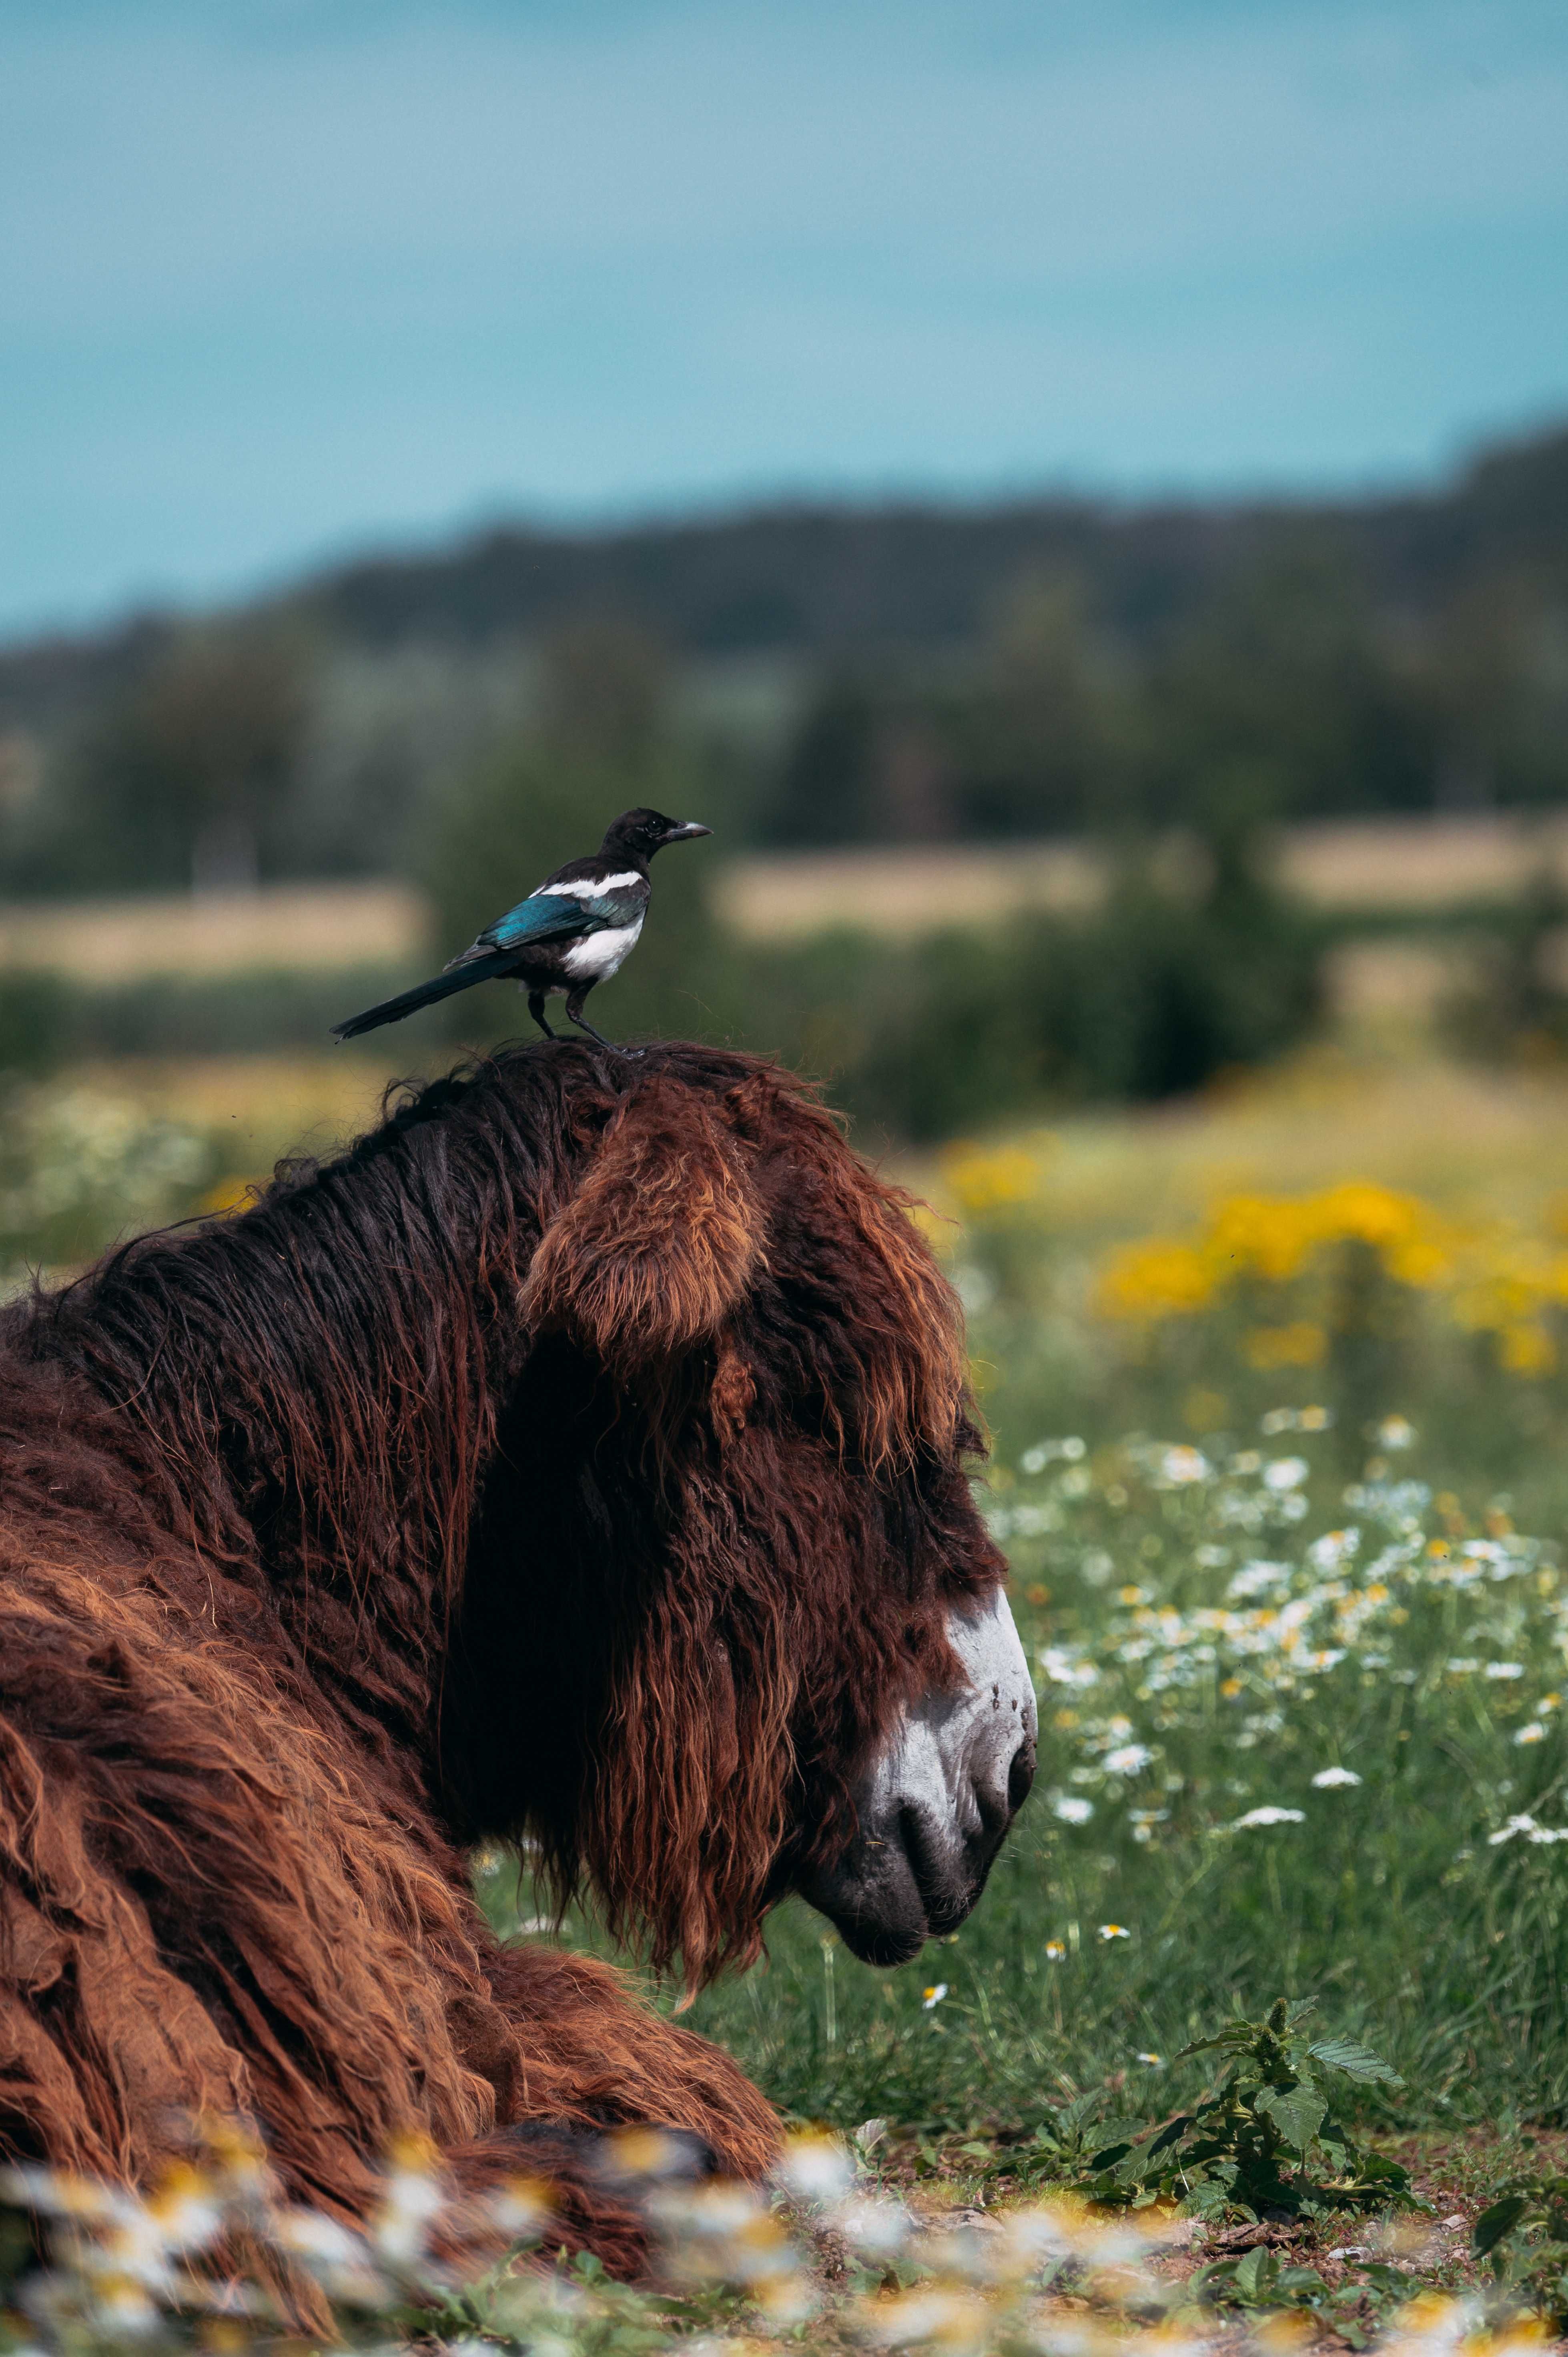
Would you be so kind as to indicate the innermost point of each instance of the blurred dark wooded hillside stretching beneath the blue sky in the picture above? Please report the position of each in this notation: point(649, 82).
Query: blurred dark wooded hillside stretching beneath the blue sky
point(902, 673)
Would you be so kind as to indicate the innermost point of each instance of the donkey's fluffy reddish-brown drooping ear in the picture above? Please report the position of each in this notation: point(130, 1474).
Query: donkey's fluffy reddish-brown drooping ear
point(659, 1241)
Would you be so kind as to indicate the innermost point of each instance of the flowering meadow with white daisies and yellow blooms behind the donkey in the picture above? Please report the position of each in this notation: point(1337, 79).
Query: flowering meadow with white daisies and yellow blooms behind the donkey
point(1279, 1401)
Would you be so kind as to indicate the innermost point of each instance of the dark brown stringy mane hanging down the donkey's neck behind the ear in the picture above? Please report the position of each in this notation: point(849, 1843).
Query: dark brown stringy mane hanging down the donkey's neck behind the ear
point(310, 1389)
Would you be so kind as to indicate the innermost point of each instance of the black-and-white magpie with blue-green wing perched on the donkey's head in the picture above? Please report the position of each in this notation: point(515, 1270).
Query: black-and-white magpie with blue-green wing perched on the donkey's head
point(572, 932)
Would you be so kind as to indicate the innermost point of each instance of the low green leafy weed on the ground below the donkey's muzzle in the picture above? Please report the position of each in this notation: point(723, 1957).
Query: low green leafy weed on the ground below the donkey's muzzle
point(1267, 2141)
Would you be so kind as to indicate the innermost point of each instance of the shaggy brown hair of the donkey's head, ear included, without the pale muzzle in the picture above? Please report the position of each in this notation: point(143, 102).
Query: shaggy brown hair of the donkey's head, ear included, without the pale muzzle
point(711, 1220)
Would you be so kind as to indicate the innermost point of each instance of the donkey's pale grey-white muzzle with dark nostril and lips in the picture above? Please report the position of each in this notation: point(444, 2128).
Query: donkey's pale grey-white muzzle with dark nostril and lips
point(940, 1800)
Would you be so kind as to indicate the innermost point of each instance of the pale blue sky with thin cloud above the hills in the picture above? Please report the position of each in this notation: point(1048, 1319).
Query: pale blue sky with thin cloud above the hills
point(284, 279)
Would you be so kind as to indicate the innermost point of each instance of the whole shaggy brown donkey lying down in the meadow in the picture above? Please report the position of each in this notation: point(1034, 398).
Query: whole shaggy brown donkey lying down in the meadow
point(584, 1458)
